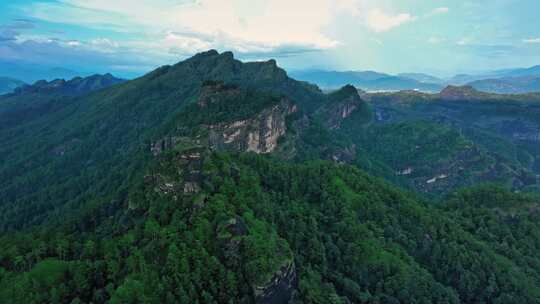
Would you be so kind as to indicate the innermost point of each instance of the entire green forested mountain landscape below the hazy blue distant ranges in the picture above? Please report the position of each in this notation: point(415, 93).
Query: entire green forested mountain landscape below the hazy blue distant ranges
point(219, 181)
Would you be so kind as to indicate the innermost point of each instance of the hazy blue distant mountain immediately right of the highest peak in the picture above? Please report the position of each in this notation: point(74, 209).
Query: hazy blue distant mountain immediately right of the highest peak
point(366, 80)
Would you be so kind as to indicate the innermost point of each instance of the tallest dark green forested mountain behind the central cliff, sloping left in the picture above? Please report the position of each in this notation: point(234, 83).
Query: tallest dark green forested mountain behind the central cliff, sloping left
point(101, 132)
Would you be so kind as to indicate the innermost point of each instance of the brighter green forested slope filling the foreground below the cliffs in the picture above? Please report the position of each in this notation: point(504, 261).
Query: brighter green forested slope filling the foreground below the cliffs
point(351, 236)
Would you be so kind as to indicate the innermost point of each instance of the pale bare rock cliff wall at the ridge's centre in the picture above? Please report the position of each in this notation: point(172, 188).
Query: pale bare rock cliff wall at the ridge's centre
point(259, 134)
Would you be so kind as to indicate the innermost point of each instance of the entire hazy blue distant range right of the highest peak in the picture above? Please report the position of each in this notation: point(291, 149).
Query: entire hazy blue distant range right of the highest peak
point(508, 81)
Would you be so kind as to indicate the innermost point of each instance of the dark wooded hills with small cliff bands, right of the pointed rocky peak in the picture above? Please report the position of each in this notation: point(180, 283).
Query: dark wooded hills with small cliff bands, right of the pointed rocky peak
point(460, 137)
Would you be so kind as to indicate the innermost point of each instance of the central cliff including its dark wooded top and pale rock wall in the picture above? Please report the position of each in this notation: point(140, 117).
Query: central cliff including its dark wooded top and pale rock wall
point(253, 122)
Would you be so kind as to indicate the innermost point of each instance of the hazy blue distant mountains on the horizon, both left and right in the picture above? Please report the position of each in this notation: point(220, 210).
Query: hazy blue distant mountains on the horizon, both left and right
point(506, 81)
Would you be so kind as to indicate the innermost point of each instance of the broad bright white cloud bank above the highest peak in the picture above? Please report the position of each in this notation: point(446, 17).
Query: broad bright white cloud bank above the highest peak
point(238, 25)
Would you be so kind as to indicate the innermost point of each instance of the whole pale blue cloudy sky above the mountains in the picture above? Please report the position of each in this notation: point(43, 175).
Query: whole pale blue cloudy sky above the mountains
point(130, 38)
